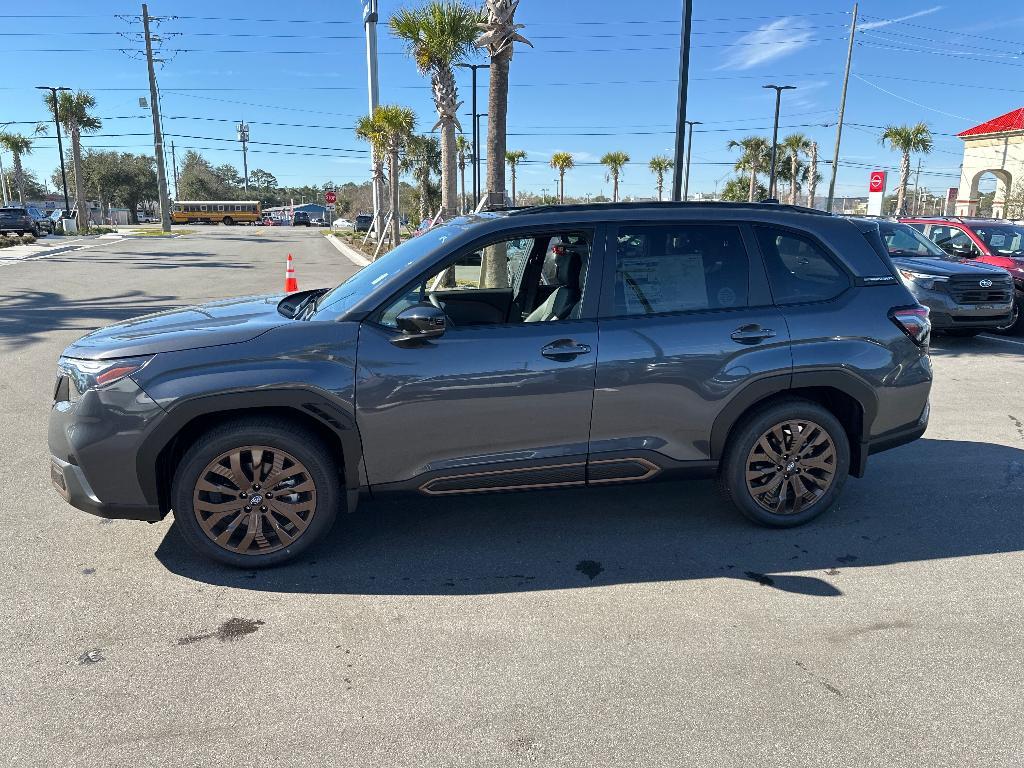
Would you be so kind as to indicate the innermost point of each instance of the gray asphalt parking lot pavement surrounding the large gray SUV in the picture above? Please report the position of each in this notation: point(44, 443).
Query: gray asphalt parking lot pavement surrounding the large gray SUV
point(620, 627)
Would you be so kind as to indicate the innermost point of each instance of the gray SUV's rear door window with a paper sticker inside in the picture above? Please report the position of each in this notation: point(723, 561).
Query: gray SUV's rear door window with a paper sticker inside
point(679, 268)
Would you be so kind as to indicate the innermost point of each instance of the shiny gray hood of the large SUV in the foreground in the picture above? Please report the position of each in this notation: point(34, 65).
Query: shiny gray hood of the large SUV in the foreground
point(227, 322)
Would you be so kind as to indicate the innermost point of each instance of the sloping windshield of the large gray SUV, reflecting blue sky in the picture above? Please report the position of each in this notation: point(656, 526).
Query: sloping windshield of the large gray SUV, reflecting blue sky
point(376, 274)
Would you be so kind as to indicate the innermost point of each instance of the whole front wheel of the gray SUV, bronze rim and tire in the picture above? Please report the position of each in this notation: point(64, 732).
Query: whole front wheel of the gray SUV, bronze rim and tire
point(255, 493)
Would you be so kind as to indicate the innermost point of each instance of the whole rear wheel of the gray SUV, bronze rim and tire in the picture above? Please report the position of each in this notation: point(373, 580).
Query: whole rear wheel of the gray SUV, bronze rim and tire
point(786, 464)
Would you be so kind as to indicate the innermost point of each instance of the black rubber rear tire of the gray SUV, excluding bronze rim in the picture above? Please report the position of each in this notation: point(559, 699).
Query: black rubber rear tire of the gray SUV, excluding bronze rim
point(742, 443)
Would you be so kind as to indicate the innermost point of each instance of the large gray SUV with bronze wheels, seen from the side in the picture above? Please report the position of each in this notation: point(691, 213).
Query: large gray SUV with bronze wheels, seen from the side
point(773, 347)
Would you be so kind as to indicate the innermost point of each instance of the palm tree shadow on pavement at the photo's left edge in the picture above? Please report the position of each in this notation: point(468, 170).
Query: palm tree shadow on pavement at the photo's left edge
point(28, 317)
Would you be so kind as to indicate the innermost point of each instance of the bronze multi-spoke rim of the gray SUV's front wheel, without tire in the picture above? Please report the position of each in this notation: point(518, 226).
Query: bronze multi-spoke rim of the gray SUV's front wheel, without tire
point(254, 500)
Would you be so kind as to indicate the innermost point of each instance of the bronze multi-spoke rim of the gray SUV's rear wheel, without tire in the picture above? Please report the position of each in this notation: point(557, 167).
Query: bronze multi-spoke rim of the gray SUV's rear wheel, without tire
point(791, 466)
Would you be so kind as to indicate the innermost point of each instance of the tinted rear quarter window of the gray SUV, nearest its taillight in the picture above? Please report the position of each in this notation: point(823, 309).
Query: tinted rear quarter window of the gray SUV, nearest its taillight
point(799, 270)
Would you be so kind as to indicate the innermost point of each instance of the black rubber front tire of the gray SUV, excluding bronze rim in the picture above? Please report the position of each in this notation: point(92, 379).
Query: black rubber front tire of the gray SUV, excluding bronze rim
point(319, 465)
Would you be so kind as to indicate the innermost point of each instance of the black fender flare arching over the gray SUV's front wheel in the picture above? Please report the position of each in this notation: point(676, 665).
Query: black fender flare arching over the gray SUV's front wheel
point(307, 401)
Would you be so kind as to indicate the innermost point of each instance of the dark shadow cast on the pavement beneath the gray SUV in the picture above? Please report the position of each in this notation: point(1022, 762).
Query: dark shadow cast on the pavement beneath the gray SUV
point(927, 501)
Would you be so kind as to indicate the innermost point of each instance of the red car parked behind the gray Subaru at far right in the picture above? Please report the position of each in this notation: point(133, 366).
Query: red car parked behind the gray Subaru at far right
point(987, 241)
